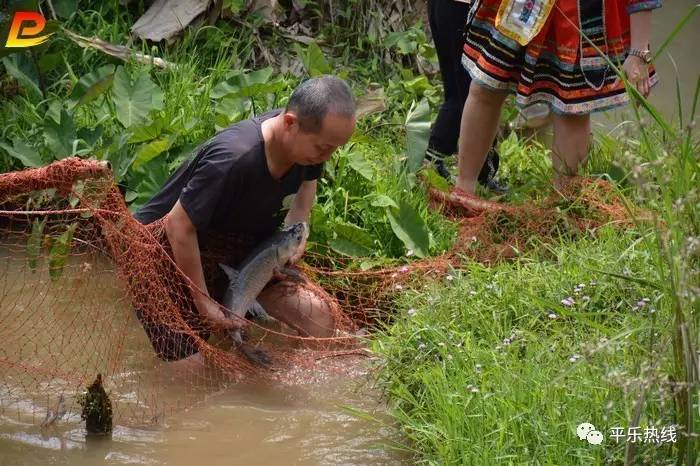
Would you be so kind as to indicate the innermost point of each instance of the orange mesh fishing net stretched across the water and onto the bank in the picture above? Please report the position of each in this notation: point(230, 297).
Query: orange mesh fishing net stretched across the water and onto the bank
point(76, 266)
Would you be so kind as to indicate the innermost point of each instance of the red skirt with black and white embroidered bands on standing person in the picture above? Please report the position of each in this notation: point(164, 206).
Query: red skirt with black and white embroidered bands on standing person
point(558, 66)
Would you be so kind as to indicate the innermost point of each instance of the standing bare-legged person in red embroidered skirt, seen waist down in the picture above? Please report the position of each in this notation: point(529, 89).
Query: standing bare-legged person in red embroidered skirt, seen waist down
point(557, 66)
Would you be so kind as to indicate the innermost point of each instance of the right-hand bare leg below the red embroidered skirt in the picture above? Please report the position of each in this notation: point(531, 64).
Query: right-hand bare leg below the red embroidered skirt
point(570, 146)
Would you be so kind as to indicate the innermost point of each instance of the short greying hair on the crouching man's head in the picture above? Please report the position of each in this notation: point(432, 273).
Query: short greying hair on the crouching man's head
point(313, 99)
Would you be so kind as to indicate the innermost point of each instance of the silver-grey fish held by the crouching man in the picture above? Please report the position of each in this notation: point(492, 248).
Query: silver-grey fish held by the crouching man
point(255, 272)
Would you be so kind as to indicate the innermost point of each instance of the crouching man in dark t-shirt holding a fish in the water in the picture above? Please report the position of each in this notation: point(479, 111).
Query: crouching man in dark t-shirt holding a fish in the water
point(232, 194)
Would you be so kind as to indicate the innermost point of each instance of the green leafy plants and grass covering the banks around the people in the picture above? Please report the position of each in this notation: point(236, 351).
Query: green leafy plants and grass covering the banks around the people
point(494, 363)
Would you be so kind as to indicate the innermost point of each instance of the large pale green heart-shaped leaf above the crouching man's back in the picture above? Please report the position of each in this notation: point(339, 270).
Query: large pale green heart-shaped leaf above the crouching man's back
point(135, 100)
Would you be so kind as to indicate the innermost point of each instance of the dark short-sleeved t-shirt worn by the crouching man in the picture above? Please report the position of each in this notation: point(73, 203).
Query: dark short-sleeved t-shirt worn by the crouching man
point(226, 186)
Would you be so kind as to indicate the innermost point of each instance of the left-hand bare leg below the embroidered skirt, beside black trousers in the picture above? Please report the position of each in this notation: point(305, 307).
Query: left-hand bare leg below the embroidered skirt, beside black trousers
point(479, 126)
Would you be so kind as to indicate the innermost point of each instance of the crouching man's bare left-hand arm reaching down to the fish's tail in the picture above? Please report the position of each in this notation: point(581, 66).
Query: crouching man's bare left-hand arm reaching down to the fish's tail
point(182, 236)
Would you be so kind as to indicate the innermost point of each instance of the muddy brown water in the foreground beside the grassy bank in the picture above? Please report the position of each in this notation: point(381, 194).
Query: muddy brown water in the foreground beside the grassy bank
point(72, 326)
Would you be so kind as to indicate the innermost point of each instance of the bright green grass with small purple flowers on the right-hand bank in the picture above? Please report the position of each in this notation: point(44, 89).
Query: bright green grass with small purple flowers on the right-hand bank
point(491, 368)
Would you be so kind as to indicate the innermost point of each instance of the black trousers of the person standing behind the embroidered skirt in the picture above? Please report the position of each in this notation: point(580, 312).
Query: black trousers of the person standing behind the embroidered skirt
point(447, 21)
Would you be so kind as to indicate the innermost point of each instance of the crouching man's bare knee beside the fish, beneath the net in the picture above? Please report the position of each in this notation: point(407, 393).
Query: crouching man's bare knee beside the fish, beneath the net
point(299, 308)
